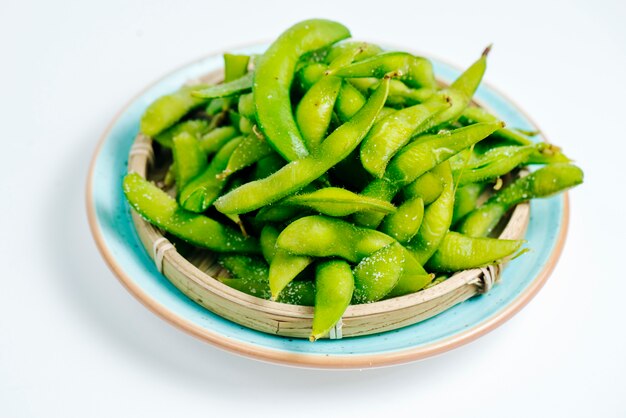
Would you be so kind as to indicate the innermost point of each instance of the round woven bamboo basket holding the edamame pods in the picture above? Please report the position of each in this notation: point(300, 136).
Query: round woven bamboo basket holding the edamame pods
point(195, 277)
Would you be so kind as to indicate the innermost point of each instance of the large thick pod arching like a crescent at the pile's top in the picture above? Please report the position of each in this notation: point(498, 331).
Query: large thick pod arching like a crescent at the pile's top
point(273, 77)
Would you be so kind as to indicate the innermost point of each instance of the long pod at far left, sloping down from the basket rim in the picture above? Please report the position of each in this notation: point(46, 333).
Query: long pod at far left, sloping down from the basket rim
point(162, 211)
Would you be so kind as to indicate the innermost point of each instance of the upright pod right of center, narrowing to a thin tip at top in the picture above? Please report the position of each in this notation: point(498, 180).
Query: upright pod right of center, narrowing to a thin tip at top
point(436, 221)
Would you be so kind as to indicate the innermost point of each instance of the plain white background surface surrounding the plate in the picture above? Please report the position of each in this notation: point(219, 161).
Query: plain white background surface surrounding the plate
point(74, 343)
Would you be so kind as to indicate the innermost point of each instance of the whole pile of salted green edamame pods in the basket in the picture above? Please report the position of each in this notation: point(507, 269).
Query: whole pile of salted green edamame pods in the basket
point(328, 172)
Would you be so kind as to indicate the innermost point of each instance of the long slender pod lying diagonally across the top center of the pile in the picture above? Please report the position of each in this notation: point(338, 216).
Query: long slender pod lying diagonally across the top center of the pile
point(297, 174)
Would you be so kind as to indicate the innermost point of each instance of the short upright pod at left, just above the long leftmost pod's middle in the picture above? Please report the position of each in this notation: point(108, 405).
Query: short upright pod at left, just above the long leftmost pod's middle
point(189, 160)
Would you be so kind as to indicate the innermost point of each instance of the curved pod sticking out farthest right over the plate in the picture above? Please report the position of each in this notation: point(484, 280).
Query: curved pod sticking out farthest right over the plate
point(546, 181)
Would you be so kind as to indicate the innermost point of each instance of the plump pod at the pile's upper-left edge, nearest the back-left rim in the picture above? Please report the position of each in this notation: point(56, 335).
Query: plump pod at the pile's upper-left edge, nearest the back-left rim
point(169, 109)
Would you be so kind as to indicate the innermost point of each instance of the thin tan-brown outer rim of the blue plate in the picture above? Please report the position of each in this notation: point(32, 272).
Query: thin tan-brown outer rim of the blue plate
point(322, 361)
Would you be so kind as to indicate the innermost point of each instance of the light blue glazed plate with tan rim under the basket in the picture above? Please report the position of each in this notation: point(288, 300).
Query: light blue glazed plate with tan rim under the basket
point(114, 232)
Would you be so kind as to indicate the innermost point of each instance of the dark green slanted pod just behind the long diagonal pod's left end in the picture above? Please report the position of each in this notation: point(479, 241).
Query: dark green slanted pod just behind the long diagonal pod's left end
point(204, 189)
